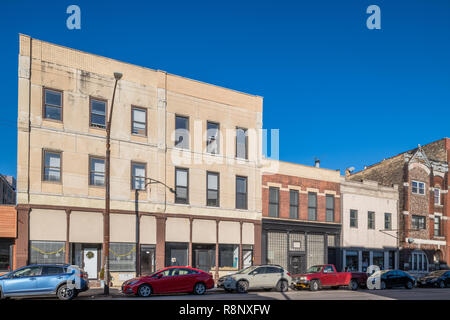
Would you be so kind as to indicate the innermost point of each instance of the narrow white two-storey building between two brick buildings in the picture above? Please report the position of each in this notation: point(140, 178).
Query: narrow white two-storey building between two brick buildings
point(369, 225)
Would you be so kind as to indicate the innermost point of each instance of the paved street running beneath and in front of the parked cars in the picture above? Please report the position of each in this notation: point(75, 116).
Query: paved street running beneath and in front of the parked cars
point(343, 294)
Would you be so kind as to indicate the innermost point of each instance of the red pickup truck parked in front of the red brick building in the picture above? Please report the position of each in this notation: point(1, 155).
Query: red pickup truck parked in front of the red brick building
point(325, 276)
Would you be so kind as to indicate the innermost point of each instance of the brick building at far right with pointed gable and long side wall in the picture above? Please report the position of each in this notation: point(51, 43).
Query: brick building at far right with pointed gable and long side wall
point(422, 174)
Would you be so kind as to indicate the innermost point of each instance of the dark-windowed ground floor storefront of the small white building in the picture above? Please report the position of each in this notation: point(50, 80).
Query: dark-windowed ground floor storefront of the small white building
point(359, 259)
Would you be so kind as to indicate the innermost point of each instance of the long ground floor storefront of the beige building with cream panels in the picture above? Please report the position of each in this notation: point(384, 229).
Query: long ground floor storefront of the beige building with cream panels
point(139, 243)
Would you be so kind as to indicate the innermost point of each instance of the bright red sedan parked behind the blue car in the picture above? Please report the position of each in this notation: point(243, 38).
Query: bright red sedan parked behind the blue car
point(170, 280)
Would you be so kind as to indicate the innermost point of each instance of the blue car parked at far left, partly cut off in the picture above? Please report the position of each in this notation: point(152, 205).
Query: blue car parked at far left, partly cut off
point(64, 281)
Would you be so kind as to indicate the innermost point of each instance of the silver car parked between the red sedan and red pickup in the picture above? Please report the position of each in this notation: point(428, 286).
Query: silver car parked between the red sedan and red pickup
point(257, 277)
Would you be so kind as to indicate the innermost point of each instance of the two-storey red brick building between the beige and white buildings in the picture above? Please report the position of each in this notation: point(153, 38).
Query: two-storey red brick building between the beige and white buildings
point(301, 223)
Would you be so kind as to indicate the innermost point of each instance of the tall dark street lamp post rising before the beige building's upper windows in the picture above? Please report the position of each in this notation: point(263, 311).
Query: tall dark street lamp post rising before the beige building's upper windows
point(117, 77)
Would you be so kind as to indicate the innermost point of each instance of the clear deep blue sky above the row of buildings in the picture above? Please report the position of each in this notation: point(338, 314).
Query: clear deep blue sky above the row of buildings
point(335, 90)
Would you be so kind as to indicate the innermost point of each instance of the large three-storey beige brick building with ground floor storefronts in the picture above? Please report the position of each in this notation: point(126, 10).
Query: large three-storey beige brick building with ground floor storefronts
point(214, 220)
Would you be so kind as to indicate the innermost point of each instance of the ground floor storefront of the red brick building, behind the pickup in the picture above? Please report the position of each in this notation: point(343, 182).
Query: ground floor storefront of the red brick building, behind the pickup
point(297, 246)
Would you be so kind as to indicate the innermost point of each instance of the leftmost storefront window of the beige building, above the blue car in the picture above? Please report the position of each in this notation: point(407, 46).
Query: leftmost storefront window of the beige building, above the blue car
point(47, 252)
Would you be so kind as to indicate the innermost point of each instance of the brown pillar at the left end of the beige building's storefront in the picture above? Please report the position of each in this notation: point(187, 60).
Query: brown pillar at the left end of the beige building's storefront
point(23, 237)
